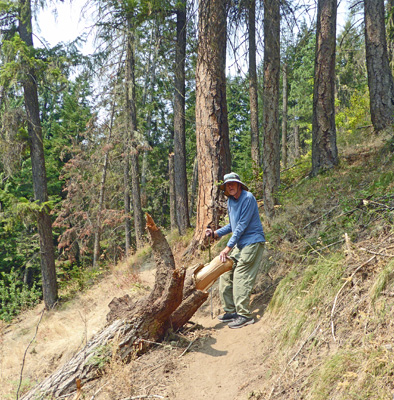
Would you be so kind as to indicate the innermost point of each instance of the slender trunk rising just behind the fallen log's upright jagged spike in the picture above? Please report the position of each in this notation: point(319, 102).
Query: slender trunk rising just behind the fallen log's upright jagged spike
point(132, 119)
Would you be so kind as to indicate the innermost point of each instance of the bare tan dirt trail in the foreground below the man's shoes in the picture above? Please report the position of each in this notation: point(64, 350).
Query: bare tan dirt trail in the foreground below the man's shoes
point(222, 366)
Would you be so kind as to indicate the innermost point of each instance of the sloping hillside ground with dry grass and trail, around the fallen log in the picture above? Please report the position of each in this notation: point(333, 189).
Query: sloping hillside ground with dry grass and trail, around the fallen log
point(324, 311)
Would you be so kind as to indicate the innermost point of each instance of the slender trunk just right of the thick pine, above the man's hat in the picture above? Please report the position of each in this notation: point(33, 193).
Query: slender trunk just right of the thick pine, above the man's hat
point(253, 96)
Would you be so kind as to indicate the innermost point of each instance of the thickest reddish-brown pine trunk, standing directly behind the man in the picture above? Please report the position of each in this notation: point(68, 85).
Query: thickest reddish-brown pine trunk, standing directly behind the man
point(213, 149)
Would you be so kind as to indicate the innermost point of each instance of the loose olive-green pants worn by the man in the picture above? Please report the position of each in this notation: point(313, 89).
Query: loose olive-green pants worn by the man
point(235, 286)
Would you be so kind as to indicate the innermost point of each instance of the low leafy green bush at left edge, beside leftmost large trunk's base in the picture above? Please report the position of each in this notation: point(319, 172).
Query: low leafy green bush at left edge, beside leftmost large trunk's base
point(15, 296)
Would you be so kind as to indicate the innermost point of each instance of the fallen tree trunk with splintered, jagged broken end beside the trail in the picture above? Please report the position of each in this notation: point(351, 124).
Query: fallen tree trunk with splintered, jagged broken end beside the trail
point(175, 297)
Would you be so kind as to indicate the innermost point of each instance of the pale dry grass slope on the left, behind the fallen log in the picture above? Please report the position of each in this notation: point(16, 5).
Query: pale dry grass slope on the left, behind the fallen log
point(62, 332)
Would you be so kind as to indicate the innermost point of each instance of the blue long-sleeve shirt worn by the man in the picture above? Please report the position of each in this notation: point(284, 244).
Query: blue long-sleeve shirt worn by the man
point(245, 223)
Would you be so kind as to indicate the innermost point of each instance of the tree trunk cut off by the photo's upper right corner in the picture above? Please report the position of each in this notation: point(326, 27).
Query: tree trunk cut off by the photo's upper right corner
point(380, 78)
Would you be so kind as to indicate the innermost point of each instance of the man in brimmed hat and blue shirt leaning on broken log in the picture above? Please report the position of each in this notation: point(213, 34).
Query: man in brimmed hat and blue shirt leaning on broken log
point(246, 245)
